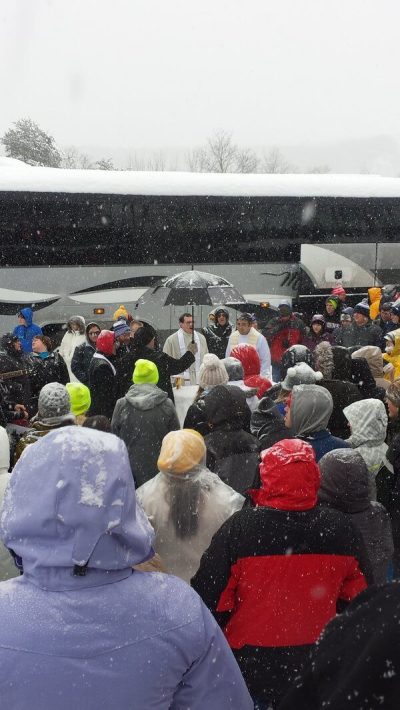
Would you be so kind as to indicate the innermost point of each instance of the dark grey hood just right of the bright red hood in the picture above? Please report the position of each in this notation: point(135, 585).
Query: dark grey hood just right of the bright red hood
point(344, 481)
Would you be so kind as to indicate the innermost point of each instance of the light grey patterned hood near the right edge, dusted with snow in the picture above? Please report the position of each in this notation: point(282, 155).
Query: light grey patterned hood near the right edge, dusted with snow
point(368, 421)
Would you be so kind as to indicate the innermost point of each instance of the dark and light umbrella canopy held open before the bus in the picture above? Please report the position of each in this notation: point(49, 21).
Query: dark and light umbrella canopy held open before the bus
point(193, 288)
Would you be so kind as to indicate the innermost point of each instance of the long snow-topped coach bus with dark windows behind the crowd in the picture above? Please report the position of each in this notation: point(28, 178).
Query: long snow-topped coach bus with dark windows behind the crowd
point(85, 241)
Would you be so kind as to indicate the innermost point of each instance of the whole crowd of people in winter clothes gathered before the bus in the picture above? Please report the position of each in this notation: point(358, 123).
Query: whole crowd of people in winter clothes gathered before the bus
point(220, 560)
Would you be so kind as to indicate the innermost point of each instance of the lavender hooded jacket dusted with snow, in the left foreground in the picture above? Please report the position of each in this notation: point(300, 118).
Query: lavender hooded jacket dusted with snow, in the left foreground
point(112, 638)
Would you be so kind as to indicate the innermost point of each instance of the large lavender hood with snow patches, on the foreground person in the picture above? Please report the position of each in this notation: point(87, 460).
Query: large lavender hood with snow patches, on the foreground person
point(71, 501)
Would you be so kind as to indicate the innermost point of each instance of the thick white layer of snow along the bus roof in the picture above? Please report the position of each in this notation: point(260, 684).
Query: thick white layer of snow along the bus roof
point(35, 179)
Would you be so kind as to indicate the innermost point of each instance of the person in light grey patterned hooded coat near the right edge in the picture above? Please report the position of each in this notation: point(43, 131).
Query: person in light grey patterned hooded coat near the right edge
point(368, 422)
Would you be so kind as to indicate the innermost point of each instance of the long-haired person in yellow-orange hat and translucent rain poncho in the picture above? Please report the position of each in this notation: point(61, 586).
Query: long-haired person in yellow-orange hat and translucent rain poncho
point(185, 503)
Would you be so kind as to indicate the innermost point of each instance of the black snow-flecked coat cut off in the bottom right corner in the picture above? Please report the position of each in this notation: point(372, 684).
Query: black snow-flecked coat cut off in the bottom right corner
point(356, 663)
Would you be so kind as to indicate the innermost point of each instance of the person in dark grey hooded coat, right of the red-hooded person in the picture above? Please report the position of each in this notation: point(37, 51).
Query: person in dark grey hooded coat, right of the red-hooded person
point(345, 487)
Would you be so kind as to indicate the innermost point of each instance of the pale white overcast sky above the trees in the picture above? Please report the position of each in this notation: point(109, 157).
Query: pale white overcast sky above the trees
point(162, 73)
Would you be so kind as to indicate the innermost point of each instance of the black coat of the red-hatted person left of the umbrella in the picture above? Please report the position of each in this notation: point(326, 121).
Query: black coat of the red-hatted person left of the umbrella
point(103, 387)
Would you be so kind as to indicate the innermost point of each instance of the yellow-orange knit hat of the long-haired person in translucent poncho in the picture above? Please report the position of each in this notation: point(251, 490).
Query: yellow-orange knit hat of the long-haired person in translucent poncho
point(181, 451)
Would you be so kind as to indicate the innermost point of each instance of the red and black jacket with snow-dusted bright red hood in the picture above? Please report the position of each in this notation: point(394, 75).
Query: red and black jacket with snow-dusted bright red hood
point(274, 574)
